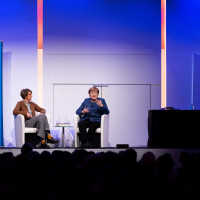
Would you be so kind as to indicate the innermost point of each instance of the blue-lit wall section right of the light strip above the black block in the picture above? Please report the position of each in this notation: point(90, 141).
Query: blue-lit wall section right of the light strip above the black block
point(183, 41)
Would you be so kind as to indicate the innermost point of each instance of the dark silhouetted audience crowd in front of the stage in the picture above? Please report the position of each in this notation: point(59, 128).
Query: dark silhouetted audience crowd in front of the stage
point(59, 174)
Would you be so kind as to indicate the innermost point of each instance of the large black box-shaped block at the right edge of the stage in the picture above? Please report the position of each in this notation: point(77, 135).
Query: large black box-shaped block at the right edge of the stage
point(174, 129)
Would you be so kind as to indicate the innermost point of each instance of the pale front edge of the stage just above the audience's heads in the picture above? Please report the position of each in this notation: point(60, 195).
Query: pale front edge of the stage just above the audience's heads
point(175, 153)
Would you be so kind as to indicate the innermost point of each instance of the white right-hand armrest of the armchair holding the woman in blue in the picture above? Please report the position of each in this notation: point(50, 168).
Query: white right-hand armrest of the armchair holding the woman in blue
point(104, 130)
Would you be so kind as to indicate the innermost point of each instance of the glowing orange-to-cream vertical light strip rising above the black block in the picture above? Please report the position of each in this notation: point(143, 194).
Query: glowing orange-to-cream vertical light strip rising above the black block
point(163, 55)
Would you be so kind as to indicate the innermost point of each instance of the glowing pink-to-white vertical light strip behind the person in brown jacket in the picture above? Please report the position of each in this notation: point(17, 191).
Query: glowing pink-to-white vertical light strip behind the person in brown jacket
point(40, 50)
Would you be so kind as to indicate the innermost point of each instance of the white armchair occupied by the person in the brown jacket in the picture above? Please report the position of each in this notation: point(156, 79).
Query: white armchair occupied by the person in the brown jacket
point(21, 130)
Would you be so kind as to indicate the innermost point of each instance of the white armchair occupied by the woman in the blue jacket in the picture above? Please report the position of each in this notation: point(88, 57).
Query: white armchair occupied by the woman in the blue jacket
point(103, 130)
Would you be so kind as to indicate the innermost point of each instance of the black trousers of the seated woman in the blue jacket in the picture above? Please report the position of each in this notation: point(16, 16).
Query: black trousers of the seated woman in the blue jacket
point(84, 135)
